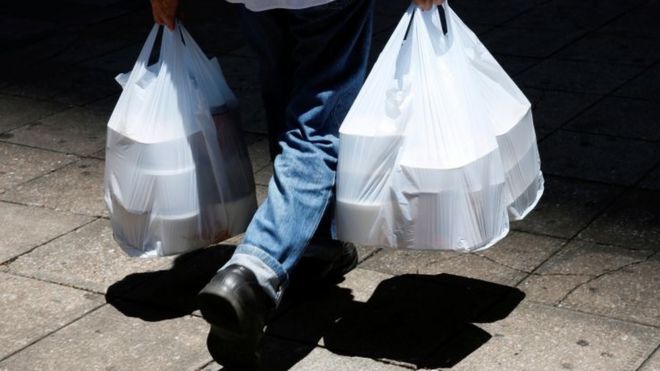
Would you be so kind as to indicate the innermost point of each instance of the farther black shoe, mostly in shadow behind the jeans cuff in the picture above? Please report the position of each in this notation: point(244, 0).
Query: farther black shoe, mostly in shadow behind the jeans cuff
point(311, 271)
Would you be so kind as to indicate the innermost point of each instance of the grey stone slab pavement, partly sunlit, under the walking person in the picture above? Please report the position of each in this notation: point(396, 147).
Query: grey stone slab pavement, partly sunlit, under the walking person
point(575, 286)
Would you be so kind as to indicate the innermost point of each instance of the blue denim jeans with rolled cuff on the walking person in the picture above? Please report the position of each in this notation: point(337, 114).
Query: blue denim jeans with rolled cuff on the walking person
point(313, 62)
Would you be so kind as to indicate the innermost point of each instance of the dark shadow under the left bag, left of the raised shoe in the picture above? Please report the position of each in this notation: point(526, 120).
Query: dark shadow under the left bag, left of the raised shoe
point(173, 291)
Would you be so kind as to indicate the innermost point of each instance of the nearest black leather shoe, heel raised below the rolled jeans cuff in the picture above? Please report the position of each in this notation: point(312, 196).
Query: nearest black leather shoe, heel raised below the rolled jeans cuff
point(237, 308)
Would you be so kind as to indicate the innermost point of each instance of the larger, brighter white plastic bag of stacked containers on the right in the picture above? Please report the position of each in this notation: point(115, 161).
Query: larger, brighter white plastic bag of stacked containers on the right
point(438, 150)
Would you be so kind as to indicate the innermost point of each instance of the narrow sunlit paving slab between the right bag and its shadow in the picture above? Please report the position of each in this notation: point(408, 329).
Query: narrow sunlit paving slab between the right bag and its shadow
point(430, 262)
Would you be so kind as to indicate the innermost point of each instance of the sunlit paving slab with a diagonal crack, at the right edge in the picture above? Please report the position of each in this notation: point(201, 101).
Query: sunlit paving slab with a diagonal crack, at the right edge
point(600, 279)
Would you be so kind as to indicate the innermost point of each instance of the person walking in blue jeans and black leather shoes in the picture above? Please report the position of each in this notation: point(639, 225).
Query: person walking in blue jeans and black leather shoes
point(313, 60)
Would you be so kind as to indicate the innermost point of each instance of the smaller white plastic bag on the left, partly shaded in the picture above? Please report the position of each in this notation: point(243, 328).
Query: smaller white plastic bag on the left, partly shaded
point(170, 185)
